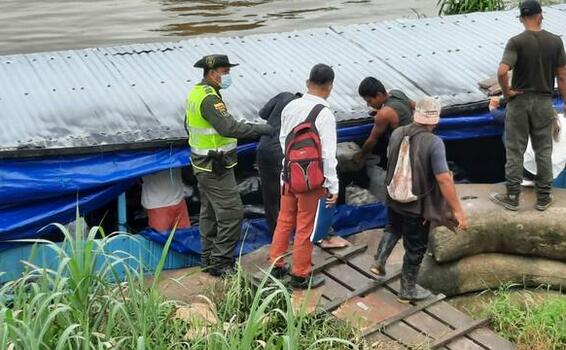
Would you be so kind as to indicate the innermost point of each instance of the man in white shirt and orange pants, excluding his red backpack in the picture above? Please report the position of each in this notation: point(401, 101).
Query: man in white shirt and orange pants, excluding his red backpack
point(298, 209)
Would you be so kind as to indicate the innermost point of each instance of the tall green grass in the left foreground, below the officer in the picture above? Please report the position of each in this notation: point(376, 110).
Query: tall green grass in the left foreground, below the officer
point(77, 305)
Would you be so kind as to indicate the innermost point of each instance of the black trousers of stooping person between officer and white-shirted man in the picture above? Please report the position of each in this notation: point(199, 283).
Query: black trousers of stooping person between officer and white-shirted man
point(270, 177)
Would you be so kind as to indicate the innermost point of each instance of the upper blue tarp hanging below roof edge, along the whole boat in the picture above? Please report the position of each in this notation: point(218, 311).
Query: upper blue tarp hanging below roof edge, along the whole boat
point(37, 191)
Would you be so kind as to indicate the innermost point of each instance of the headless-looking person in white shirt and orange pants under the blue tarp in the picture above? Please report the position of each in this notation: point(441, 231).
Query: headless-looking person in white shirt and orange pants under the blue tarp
point(164, 200)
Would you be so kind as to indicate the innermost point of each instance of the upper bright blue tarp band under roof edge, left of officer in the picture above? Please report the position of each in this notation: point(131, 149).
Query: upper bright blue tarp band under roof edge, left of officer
point(29, 180)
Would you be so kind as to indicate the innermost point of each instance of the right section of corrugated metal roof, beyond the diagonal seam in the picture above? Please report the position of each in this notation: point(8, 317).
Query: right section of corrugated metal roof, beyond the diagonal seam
point(446, 56)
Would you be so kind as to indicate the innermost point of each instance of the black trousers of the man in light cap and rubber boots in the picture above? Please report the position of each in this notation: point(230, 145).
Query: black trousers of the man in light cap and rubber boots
point(414, 230)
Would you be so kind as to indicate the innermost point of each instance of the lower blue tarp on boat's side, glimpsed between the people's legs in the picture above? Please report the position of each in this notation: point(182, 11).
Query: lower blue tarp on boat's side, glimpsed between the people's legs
point(347, 220)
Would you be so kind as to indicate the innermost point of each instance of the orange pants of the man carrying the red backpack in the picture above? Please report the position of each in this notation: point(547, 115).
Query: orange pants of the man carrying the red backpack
point(297, 212)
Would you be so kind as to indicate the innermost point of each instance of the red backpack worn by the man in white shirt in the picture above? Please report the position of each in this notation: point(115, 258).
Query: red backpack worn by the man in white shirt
point(302, 169)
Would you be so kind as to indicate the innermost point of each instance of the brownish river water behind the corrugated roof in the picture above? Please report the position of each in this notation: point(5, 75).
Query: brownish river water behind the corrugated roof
point(47, 25)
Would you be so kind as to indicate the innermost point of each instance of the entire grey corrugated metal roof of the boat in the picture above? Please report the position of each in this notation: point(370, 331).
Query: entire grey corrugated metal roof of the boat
point(135, 94)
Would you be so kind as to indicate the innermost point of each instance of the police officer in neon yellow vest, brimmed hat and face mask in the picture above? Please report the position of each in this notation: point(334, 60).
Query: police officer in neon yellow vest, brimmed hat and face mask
point(213, 135)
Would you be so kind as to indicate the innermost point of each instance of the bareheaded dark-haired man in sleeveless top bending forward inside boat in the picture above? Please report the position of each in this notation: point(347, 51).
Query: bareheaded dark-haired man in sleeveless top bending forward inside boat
point(390, 110)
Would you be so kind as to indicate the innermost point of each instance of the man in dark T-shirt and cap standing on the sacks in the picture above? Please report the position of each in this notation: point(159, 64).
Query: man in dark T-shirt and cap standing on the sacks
point(536, 58)
